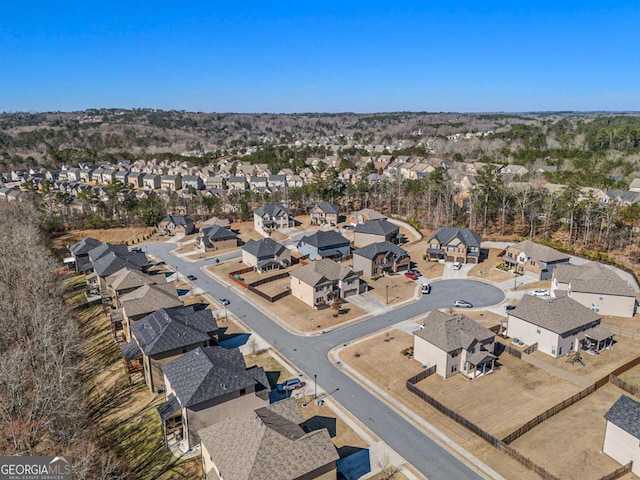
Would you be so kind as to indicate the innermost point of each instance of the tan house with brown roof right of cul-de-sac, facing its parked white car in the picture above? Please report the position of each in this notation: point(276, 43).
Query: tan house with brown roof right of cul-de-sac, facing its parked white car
point(529, 258)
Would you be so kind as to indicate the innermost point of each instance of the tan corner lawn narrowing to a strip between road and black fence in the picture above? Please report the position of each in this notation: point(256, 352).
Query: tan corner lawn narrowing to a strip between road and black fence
point(391, 375)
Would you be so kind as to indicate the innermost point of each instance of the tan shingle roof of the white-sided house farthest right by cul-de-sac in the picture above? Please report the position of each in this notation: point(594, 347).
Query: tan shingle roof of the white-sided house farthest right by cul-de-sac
point(593, 278)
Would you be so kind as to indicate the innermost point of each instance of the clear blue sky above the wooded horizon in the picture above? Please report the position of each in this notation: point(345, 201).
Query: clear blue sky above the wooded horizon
point(308, 56)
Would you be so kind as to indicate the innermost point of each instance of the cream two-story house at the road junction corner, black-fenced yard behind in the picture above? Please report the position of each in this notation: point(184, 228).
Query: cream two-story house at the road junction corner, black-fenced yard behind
point(455, 344)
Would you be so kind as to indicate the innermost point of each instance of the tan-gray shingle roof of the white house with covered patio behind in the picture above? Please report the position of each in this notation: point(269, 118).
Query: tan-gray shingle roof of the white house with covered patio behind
point(559, 315)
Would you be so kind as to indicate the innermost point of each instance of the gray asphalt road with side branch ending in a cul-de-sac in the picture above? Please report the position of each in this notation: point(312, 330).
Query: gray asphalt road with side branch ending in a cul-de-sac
point(310, 355)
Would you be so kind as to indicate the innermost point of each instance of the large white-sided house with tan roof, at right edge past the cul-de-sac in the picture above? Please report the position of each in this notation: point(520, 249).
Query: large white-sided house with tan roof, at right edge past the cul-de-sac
point(596, 287)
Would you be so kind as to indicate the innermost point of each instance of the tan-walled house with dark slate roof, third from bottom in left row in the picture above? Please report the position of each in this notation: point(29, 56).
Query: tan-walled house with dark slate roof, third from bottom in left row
point(167, 334)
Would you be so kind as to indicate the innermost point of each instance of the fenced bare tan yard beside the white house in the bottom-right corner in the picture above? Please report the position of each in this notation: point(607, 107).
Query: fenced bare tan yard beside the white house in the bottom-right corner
point(569, 445)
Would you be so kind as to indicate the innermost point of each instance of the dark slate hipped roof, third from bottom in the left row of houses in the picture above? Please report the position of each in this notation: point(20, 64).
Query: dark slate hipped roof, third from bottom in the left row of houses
point(171, 328)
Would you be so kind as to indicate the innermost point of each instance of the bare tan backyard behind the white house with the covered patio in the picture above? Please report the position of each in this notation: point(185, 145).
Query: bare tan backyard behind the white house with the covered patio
point(597, 366)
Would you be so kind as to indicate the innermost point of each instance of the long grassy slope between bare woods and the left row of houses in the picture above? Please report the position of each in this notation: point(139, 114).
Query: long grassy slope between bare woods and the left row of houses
point(124, 414)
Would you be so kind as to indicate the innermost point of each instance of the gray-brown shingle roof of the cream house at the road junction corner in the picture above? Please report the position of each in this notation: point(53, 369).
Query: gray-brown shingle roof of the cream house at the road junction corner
point(450, 333)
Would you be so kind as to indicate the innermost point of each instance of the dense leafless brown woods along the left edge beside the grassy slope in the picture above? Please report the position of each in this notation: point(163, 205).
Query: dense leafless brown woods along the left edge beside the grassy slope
point(43, 407)
